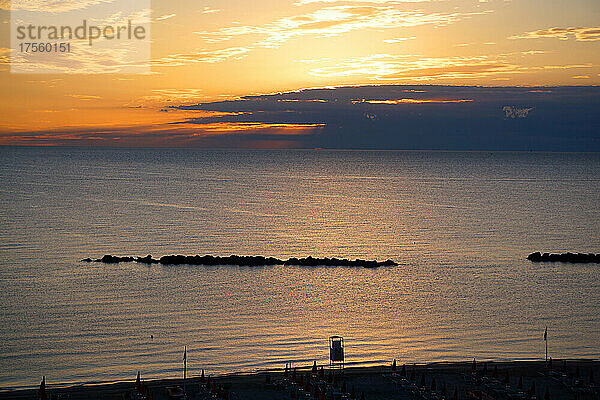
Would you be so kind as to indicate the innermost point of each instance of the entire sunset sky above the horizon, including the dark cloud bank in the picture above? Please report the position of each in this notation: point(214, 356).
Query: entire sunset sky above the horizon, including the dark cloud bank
point(205, 53)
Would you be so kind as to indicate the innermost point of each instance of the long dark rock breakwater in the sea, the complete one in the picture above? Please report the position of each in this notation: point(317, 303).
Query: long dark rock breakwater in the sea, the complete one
point(249, 261)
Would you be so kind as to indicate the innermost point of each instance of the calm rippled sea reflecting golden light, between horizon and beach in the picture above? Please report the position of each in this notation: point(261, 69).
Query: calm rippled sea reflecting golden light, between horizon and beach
point(459, 224)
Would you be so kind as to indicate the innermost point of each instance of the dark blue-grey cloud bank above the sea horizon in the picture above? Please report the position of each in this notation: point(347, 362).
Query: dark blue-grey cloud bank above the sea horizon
point(418, 117)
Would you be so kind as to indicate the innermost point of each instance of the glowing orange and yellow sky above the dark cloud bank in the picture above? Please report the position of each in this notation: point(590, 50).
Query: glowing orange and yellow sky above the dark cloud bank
point(213, 50)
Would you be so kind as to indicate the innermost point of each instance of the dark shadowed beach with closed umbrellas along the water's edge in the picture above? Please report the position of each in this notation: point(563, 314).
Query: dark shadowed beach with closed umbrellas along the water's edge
point(564, 379)
